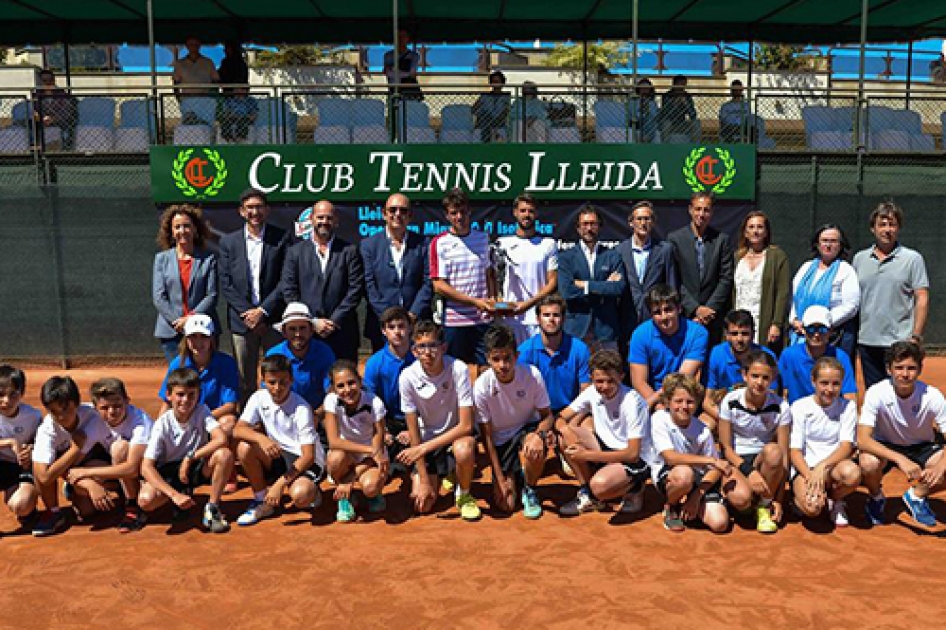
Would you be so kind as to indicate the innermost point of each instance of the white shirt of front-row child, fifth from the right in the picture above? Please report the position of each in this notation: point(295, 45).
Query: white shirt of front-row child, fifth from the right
point(624, 417)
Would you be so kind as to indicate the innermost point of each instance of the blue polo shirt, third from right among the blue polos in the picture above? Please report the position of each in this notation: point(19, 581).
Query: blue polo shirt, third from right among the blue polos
point(665, 355)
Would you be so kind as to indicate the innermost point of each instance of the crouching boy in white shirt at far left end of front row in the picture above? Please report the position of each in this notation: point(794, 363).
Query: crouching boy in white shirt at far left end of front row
point(18, 425)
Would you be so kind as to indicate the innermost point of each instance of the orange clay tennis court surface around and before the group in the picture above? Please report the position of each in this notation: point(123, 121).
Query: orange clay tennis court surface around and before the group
point(599, 570)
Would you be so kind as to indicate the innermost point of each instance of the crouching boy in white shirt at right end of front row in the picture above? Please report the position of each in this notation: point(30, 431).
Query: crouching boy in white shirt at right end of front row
point(896, 429)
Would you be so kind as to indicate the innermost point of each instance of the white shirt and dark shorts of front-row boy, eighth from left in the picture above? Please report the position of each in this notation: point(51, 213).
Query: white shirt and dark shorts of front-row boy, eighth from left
point(511, 408)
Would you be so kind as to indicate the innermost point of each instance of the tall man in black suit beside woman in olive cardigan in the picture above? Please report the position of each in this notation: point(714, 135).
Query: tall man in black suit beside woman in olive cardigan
point(705, 263)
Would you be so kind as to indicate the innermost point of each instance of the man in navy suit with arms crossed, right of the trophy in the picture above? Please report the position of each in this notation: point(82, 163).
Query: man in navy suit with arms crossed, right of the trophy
point(591, 279)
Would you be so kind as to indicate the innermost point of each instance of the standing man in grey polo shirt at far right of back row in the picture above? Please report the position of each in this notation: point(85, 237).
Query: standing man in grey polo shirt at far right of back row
point(895, 294)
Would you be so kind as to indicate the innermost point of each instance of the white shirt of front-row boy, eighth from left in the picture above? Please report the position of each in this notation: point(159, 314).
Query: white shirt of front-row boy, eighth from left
point(510, 406)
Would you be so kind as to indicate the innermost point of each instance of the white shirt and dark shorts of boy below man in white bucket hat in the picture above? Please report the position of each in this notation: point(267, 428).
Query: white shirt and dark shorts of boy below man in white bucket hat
point(290, 425)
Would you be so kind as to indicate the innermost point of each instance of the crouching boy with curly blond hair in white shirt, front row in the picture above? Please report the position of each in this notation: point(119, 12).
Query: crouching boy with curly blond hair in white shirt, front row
point(685, 464)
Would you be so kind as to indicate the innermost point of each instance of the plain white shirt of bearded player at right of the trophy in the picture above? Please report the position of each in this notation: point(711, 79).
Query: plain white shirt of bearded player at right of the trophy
point(528, 261)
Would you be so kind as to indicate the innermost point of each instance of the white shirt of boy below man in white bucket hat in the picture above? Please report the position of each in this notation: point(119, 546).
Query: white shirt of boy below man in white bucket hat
point(290, 425)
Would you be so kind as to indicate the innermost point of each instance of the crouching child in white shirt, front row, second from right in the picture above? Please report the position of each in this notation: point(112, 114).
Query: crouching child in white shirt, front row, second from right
point(822, 445)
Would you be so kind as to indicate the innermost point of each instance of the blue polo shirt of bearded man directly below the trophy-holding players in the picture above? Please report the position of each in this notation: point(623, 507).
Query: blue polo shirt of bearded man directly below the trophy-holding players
point(564, 371)
